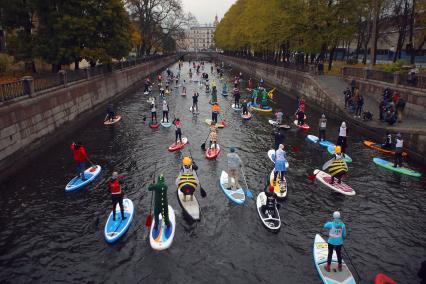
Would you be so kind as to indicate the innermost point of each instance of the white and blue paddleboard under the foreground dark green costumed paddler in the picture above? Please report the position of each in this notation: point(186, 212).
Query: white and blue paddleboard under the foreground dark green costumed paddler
point(162, 238)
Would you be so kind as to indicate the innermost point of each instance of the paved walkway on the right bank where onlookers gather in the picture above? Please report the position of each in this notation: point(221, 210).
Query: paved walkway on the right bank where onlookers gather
point(334, 86)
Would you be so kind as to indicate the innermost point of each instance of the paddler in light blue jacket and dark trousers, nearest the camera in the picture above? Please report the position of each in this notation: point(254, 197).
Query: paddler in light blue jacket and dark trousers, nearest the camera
point(336, 235)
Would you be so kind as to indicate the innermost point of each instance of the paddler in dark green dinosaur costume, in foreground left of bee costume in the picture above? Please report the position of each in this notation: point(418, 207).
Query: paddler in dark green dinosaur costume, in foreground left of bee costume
point(161, 205)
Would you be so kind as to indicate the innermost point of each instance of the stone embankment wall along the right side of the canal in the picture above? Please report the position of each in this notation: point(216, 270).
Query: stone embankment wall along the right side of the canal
point(299, 83)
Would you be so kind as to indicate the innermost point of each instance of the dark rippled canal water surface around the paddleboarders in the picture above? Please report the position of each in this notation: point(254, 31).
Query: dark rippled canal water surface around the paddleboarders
point(48, 235)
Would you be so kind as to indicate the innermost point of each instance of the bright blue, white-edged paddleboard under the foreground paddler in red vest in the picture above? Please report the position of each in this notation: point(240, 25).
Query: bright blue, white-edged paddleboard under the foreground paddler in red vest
point(115, 229)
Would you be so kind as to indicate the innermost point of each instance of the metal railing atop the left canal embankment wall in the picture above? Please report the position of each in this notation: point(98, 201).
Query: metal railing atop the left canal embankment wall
point(12, 90)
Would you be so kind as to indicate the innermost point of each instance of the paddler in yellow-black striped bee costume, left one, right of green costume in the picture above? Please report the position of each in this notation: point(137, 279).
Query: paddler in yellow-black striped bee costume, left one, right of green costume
point(187, 181)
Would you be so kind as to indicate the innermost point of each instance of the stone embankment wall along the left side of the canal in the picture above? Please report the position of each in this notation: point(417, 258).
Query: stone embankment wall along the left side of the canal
point(32, 123)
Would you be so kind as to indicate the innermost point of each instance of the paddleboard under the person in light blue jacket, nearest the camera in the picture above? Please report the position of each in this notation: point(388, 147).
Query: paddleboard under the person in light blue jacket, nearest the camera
point(320, 258)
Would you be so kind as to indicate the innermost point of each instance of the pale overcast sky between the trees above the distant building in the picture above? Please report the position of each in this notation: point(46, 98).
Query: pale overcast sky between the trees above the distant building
point(205, 10)
